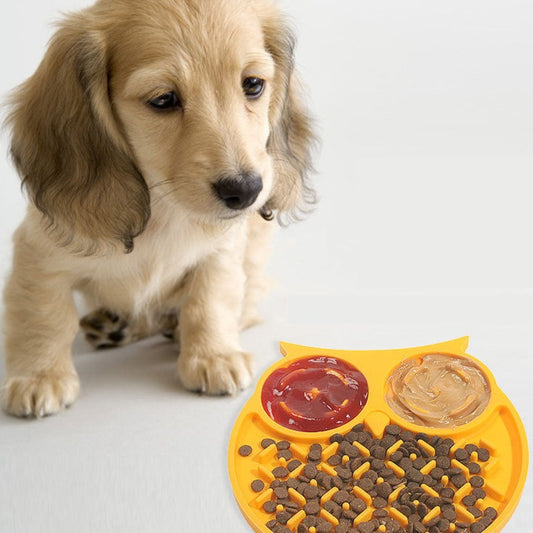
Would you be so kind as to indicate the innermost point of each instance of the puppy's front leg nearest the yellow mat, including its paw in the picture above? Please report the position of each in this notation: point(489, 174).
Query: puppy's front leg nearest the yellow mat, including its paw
point(211, 359)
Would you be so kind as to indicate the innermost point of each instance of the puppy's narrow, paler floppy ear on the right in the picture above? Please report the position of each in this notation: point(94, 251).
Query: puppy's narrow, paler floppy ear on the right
point(291, 134)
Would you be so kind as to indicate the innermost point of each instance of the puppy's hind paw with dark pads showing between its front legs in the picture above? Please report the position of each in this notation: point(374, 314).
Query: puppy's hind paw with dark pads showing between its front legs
point(105, 329)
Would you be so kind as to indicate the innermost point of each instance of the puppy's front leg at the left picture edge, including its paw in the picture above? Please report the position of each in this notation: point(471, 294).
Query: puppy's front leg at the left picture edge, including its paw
point(40, 325)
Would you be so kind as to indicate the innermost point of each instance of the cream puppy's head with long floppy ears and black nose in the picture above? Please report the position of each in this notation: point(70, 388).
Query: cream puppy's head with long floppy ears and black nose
point(191, 102)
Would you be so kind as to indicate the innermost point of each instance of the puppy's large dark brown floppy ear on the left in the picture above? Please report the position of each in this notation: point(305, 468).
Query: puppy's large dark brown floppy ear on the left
point(68, 148)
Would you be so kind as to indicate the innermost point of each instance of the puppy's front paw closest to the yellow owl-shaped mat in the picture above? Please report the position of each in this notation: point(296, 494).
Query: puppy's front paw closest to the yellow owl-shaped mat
point(216, 374)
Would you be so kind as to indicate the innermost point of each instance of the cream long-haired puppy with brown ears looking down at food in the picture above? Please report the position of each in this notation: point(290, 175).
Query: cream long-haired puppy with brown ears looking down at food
point(156, 141)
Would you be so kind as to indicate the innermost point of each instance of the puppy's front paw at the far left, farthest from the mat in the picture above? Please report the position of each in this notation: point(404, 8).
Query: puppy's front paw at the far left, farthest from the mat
point(39, 395)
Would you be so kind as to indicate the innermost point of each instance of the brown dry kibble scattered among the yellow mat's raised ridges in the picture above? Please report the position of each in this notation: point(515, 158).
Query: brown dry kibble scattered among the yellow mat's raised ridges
point(402, 482)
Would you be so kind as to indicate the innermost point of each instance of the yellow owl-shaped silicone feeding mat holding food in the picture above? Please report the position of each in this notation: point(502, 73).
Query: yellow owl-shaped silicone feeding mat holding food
point(498, 430)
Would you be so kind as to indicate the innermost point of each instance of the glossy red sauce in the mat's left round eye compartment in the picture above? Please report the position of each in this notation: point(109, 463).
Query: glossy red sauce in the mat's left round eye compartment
point(314, 394)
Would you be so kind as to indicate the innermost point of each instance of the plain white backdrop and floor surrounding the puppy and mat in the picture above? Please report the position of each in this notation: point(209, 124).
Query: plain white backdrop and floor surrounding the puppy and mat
point(423, 233)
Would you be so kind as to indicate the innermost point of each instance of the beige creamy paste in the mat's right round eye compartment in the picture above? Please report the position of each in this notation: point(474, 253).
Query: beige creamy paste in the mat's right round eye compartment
point(438, 390)
